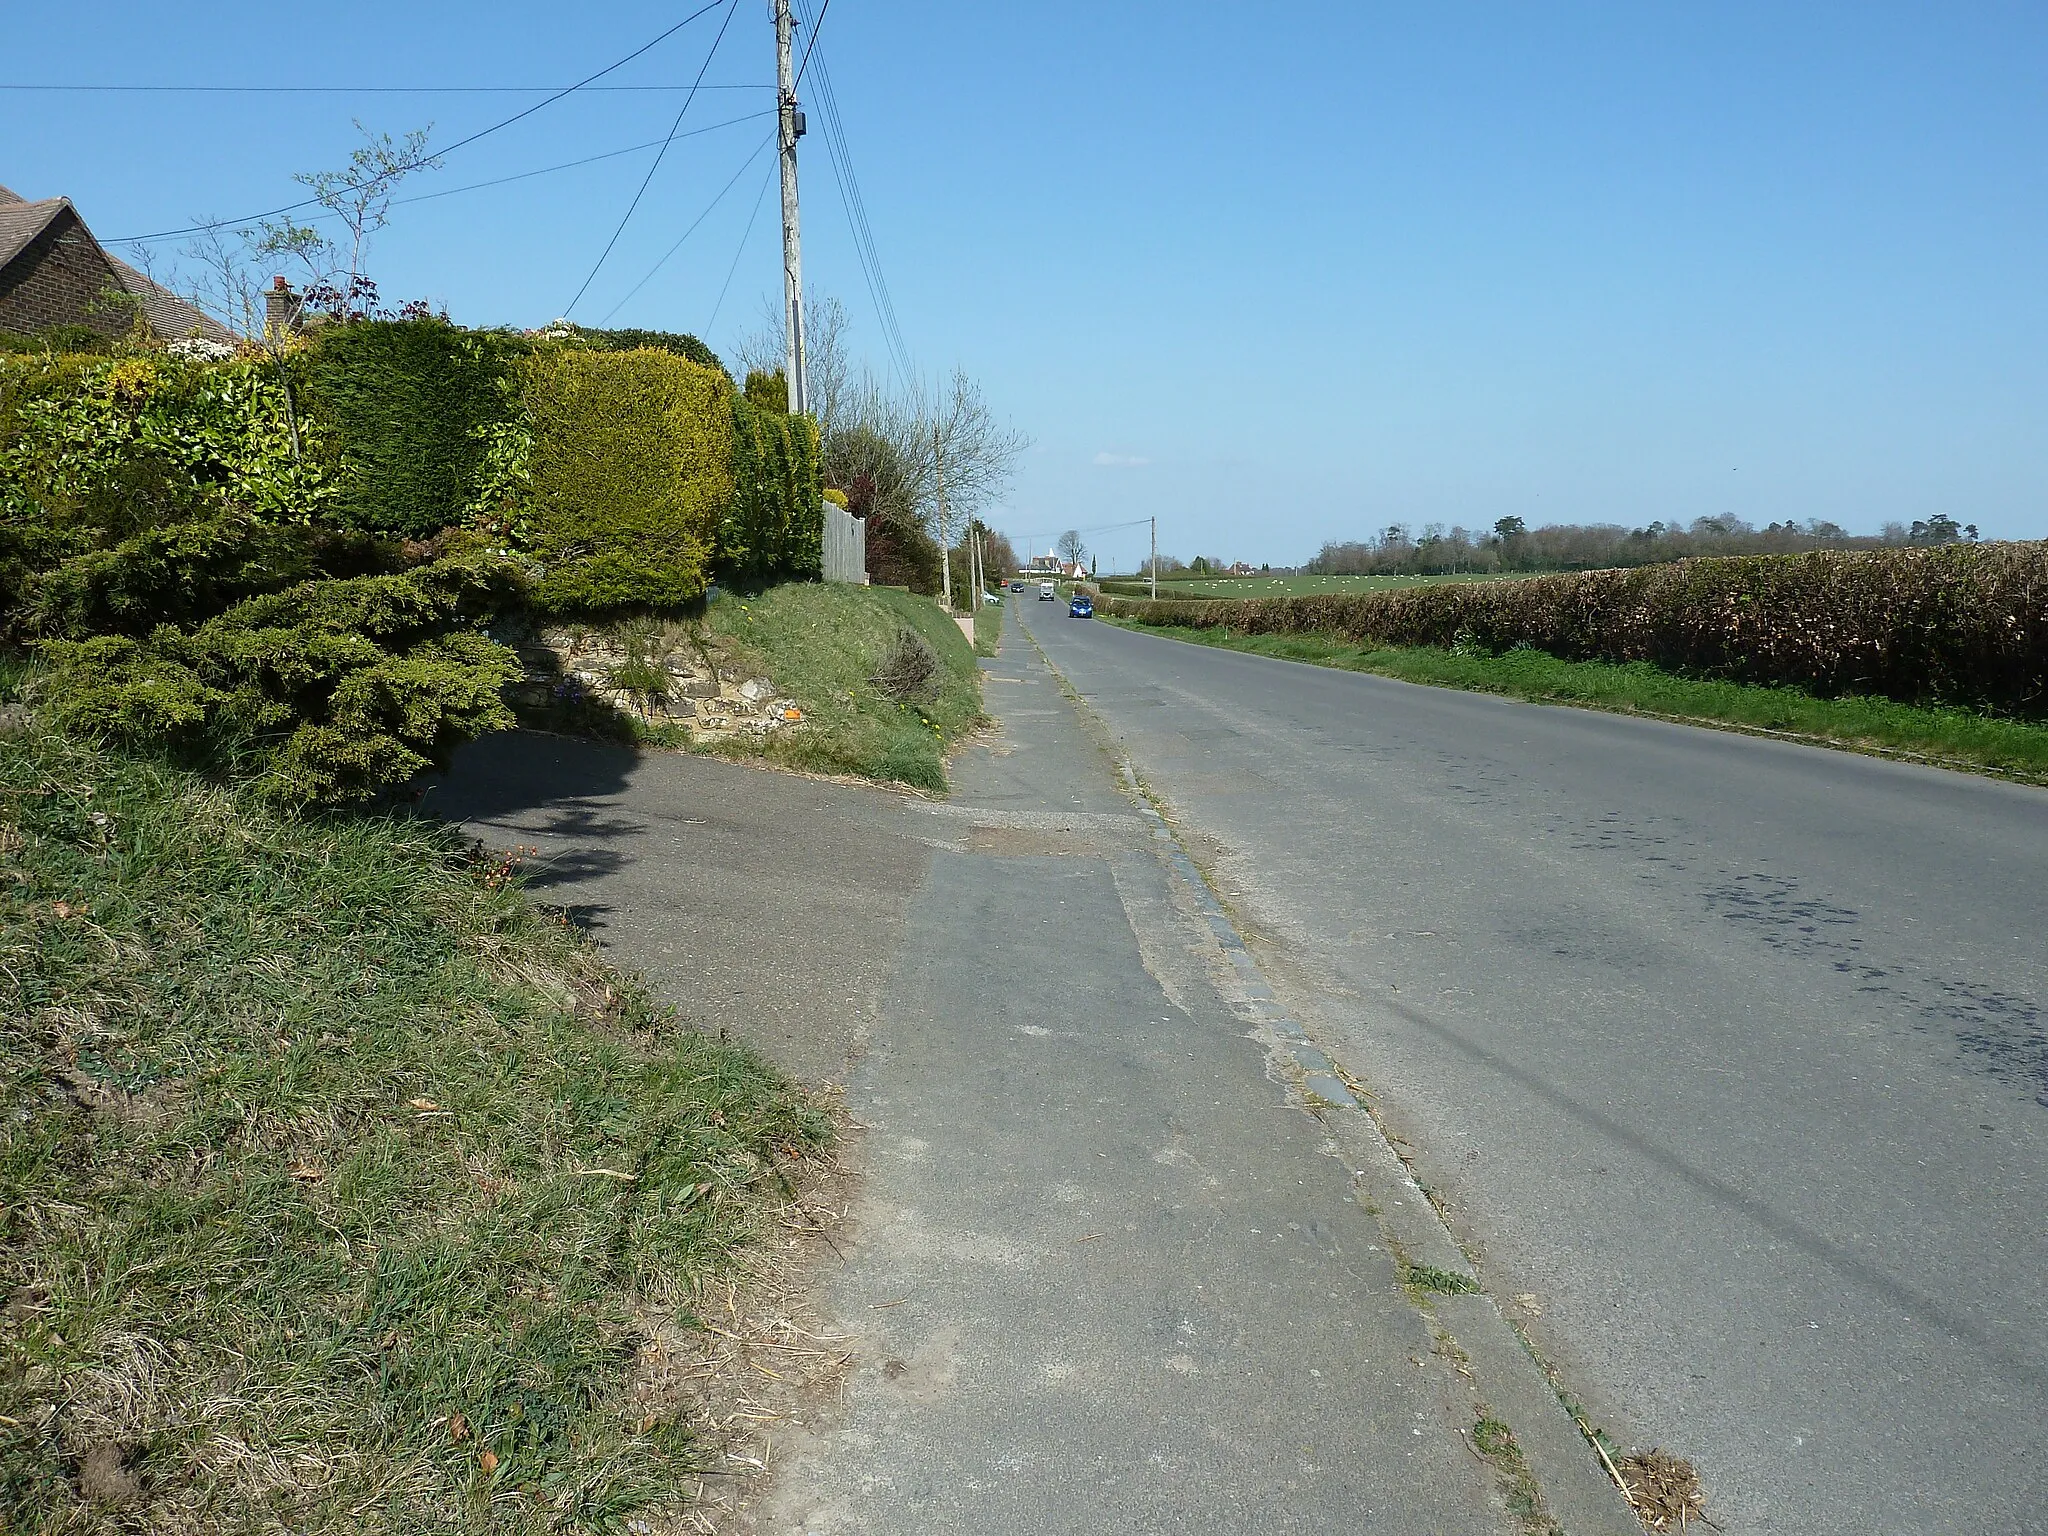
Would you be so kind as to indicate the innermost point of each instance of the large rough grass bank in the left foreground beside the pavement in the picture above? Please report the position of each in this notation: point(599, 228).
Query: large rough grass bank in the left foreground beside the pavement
point(341, 1191)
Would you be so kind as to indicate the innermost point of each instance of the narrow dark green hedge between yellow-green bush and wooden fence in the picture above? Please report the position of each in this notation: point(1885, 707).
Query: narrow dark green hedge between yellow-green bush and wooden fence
point(775, 527)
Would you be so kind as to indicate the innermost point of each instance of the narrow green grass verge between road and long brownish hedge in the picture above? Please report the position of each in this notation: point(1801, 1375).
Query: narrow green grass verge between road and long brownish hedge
point(1953, 738)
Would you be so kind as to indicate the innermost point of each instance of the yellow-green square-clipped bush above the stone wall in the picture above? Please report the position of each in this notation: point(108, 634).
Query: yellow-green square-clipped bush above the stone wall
point(628, 478)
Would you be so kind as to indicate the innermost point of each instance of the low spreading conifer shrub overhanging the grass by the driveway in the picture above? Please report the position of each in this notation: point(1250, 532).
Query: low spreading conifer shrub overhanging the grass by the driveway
point(329, 691)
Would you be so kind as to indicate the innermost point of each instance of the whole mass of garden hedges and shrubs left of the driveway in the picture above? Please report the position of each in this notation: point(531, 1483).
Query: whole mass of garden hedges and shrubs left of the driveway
point(253, 562)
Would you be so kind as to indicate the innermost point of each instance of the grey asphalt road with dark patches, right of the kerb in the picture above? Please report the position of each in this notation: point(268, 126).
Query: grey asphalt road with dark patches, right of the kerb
point(1727, 1056)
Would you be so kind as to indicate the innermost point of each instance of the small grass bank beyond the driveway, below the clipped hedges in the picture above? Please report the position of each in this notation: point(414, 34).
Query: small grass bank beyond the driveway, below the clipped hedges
point(822, 644)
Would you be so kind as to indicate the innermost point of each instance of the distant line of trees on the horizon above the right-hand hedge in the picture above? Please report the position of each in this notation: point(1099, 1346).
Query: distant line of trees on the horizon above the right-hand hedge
point(1512, 546)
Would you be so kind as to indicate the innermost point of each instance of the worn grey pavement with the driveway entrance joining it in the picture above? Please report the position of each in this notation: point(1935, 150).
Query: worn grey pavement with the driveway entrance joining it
point(1113, 1269)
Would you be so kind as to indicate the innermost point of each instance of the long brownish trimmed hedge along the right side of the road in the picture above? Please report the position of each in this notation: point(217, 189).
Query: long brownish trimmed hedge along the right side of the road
point(1959, 624)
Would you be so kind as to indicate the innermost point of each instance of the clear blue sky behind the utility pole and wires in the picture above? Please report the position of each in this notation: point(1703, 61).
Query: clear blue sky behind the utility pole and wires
point(1275, 275)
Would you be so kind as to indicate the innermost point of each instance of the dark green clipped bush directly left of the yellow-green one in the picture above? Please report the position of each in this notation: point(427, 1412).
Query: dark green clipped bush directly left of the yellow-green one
point(413, 407)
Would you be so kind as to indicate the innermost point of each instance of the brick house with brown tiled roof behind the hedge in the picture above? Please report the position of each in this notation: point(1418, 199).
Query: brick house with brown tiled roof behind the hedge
point(54, 273)
